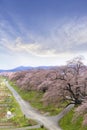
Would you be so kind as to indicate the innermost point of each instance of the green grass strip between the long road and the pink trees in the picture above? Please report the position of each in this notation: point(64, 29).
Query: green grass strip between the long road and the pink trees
point(34, 98)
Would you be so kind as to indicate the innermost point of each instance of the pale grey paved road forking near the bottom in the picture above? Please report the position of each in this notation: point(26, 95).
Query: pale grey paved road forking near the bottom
point(51, 123)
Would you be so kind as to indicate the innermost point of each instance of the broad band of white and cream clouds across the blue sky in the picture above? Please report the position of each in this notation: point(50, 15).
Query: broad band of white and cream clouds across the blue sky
point(70, 37)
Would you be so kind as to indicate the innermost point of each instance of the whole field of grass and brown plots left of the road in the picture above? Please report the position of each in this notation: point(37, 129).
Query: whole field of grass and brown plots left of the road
point(8, 103)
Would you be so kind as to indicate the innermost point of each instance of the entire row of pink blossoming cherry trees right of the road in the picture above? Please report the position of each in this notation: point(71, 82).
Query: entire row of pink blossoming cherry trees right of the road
point(64, 83)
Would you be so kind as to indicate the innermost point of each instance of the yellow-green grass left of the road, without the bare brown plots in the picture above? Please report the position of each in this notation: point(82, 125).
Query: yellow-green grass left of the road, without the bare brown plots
point(18, 120)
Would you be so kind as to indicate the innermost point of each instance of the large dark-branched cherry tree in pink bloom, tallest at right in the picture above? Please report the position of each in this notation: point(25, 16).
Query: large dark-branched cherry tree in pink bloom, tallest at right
point(73, 83)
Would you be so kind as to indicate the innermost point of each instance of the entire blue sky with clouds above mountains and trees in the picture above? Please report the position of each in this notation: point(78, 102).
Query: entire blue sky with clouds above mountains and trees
point(42, 32)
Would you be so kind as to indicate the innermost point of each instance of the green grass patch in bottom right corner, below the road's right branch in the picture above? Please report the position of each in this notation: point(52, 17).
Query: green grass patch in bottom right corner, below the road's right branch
point(66, 122)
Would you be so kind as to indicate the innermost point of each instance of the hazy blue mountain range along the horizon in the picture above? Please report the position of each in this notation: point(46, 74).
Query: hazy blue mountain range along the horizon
point(23, 68)
